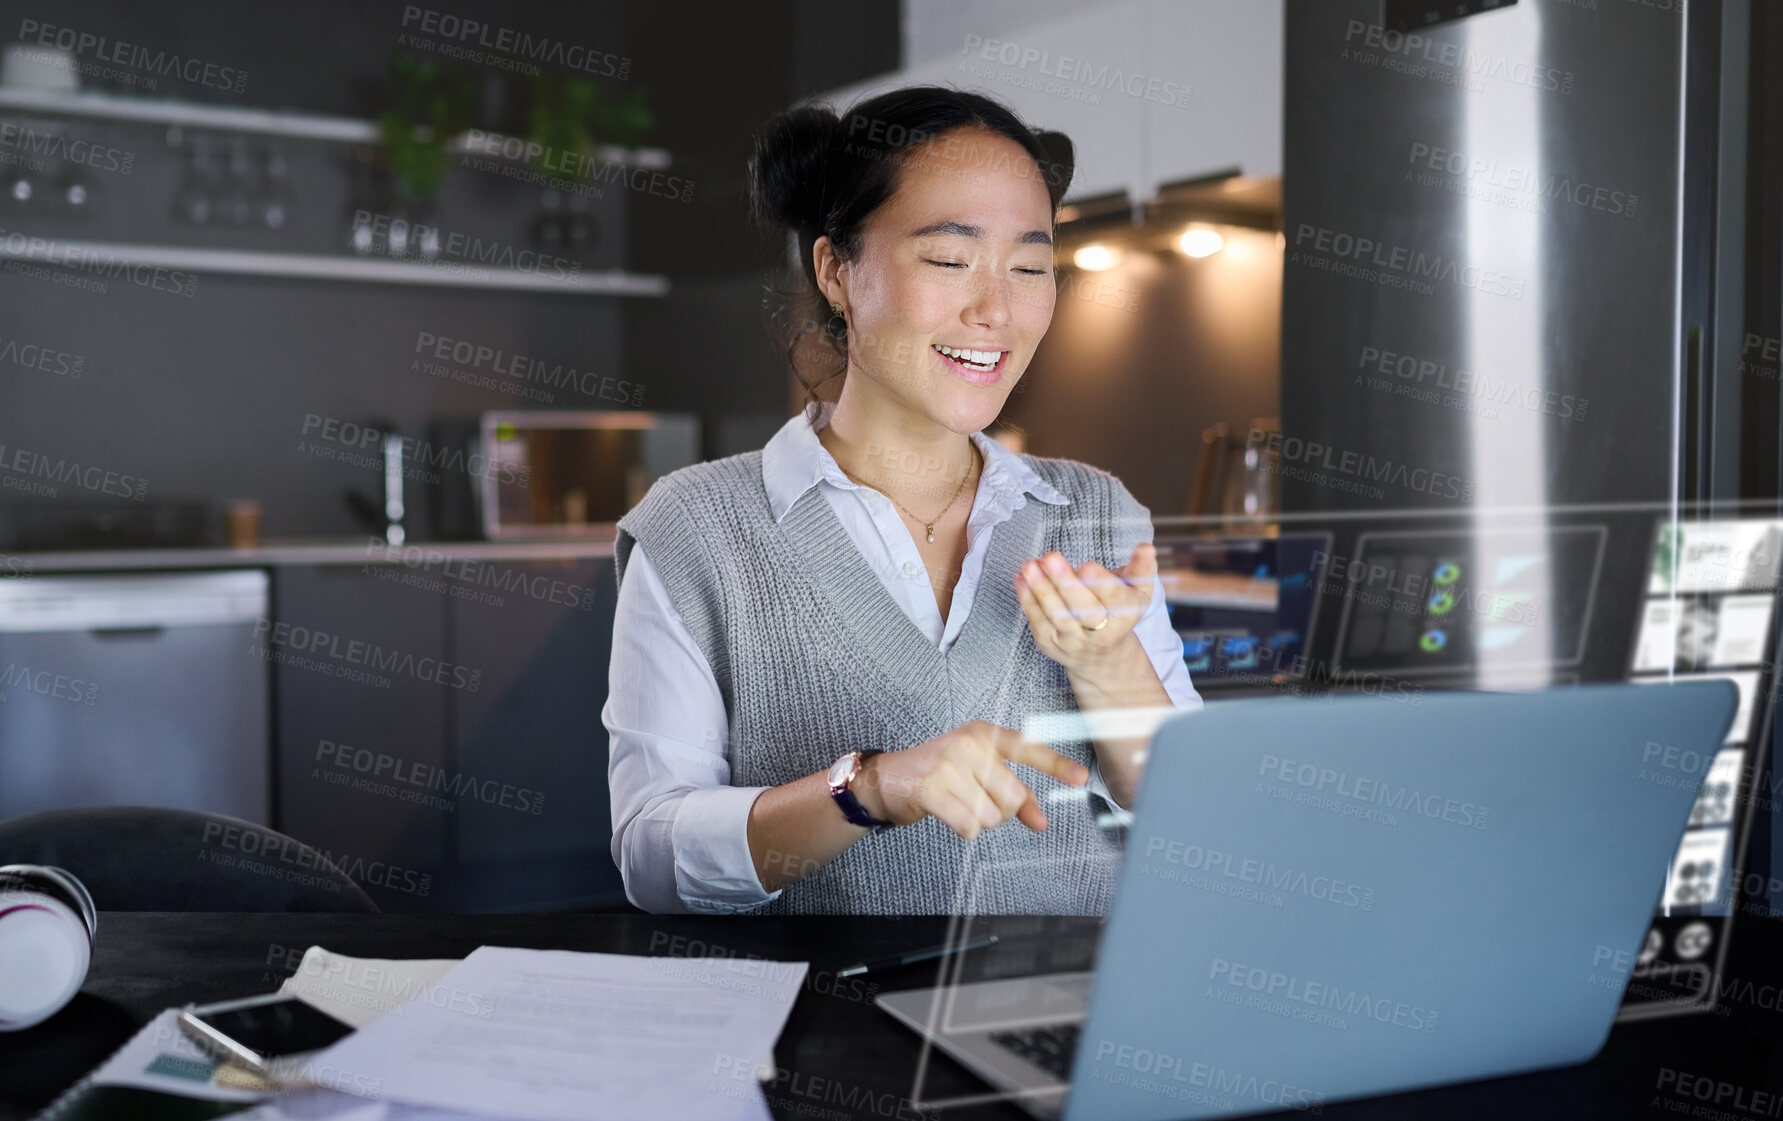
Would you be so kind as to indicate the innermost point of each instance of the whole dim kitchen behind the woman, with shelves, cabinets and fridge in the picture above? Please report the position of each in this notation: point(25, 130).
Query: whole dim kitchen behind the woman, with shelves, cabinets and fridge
point(429, 714)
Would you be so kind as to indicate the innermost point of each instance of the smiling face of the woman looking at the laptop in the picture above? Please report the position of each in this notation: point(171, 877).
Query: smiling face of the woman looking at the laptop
point(960, 258)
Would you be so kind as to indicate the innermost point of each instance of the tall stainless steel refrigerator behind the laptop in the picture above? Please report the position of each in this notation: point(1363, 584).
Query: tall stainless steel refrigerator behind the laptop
point(1518, 350)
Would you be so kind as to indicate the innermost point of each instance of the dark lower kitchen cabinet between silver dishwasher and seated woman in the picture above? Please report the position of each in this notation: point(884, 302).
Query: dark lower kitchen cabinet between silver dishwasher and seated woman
point(468, 773)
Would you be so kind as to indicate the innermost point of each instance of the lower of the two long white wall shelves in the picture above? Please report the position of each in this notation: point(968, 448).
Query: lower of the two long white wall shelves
point(322, 266)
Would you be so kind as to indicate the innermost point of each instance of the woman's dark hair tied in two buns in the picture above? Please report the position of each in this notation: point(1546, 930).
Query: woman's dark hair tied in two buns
point(821, 176)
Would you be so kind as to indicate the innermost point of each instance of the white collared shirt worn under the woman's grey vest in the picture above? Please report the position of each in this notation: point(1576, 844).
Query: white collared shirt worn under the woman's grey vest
point(680, 828)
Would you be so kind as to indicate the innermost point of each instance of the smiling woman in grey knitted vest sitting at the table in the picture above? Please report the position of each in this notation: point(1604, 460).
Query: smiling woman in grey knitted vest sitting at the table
point(825, 650)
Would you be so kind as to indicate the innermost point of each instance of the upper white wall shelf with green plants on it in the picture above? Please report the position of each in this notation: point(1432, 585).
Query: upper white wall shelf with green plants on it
point(263, 122)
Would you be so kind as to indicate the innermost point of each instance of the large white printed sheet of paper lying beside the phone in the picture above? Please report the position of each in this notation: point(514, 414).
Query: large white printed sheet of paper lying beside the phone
point(564, 1036)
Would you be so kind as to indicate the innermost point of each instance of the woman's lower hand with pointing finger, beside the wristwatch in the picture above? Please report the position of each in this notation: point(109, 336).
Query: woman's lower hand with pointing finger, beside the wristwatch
point(964, 780)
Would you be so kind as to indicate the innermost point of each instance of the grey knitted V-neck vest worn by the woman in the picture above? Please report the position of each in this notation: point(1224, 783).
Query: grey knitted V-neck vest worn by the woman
point(814, 659)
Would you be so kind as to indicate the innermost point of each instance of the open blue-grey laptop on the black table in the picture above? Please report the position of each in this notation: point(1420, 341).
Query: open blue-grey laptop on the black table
point(1349, 897)
